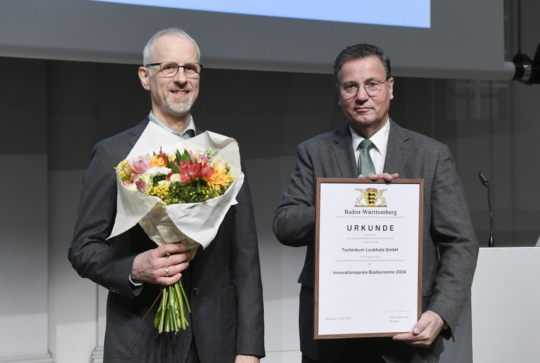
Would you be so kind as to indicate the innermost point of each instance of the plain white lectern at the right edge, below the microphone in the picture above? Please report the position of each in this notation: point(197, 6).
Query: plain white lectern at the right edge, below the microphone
point(505, 305)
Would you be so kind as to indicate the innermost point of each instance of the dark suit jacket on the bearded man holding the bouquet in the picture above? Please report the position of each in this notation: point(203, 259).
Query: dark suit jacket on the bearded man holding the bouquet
point(223, 282)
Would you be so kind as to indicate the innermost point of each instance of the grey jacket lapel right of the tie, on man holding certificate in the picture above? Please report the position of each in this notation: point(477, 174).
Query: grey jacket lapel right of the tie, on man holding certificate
point(397, 151)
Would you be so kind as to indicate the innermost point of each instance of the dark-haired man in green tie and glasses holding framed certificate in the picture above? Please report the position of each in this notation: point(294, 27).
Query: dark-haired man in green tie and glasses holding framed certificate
point(374, 146)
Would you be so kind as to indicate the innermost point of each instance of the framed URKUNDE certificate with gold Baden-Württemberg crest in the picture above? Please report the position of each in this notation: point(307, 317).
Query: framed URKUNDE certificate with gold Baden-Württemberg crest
point(368, 262)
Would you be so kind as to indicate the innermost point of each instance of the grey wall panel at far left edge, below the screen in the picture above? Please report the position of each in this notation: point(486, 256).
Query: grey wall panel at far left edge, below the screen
point(23, 210)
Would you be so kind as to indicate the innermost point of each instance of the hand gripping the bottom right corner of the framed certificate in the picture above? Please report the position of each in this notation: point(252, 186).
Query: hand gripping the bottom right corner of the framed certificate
point(424, 332)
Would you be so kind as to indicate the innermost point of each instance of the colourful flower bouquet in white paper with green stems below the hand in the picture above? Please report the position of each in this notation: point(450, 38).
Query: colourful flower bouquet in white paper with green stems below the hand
point(178, 194)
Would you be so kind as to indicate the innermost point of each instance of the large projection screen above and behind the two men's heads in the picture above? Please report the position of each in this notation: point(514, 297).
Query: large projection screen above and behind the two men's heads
point(465, 38)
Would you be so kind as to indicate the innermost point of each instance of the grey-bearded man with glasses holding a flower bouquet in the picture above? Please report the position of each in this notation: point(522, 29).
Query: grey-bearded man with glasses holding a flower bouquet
point(223, 282)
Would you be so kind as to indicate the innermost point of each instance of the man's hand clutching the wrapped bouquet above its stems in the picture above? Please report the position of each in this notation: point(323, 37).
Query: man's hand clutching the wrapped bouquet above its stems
point(154, 265)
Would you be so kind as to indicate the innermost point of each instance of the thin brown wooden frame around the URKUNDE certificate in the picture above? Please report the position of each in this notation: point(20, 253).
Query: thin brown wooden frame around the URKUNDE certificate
point(418, 272)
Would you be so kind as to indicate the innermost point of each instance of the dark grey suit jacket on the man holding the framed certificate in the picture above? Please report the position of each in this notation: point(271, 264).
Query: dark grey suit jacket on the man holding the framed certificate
point(450, 248)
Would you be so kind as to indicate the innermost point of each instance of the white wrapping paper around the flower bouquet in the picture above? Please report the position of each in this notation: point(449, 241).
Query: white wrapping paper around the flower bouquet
point(192, 223)
